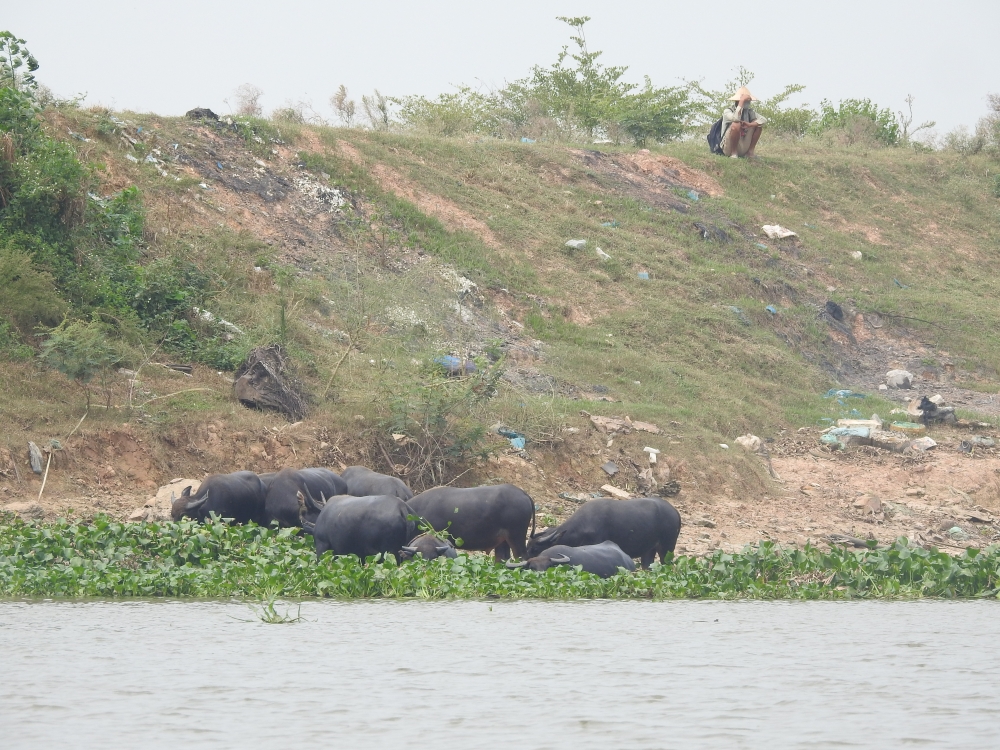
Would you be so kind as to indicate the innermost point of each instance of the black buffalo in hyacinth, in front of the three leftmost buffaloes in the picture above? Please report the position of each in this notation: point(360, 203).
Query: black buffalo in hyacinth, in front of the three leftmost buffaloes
point(361, 526)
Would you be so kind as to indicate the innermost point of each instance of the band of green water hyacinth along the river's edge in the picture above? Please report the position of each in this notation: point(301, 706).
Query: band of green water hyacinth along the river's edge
point(106, 558)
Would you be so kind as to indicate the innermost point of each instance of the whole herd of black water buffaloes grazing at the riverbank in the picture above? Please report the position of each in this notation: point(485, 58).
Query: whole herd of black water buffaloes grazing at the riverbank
point(364, 513)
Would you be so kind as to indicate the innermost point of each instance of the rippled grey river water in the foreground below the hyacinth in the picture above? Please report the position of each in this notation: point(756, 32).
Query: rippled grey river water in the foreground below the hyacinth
point(529, 674)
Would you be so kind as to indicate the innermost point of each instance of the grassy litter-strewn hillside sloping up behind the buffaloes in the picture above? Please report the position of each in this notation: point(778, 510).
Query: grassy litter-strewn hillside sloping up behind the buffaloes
point(435, 245)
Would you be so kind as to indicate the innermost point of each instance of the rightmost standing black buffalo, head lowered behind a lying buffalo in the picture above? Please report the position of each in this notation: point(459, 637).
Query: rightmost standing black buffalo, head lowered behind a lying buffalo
point(643, 528)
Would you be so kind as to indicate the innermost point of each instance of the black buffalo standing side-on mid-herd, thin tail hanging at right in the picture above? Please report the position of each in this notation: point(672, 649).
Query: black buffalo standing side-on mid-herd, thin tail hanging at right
point(485, 518)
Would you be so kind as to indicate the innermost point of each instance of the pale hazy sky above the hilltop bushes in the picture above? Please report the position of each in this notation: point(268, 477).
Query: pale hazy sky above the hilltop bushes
point(171, 56)
